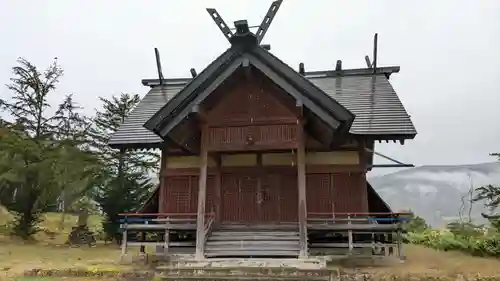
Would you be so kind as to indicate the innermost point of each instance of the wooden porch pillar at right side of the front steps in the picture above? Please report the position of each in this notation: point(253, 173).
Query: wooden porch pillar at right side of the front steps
point(301, 179)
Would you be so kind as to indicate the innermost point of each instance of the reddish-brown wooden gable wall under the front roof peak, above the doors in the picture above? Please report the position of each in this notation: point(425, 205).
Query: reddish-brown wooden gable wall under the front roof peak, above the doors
point(254, 114)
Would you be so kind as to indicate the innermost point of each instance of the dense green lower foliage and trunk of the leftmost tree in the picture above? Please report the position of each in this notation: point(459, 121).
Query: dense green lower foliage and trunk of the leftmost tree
point(28, 179)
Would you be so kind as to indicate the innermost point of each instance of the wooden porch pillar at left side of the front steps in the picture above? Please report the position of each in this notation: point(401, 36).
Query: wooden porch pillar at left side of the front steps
point(202, 195)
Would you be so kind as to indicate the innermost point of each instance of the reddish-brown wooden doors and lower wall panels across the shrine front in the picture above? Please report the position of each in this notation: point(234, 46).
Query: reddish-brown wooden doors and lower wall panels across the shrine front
point(274, 200)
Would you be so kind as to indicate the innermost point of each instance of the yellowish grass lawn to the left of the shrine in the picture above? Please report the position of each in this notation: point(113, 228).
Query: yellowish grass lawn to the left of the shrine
point(49, 251)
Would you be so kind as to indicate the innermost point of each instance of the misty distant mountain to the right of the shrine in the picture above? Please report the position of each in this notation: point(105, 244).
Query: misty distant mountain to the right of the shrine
point(436, 192)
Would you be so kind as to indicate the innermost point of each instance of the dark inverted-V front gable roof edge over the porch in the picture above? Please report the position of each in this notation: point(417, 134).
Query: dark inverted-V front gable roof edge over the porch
point(244, 51)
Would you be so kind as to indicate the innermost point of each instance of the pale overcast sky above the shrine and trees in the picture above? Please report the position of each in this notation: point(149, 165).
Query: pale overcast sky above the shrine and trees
point(449, 53)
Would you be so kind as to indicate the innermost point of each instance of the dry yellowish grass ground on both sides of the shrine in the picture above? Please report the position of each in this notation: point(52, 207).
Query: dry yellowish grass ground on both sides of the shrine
point(49, 252)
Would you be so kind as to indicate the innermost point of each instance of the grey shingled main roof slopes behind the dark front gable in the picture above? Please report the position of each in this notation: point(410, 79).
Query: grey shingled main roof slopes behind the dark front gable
point(378, 109)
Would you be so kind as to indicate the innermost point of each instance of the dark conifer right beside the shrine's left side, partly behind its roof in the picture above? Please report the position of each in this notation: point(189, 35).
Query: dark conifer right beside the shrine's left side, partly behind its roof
point(125, 182)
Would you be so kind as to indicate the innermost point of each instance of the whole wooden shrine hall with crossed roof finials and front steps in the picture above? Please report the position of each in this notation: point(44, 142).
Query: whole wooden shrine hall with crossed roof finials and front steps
point(261, 159)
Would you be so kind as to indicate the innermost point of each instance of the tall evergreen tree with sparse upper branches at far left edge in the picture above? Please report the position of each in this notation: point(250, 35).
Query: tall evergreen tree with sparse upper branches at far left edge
point(33, 150)
